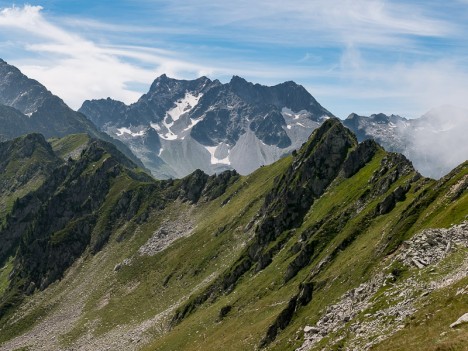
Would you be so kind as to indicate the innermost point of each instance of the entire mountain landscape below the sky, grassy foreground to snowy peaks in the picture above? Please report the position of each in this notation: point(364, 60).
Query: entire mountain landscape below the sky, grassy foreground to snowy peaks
point(322, 240)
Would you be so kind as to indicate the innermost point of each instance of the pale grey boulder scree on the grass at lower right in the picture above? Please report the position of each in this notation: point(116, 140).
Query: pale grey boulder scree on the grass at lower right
point(403, 295)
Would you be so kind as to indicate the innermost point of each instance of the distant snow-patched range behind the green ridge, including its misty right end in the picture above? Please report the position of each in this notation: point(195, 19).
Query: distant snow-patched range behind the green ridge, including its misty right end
point(180, 126)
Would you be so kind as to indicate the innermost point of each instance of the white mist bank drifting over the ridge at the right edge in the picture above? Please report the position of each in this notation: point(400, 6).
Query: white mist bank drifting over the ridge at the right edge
point(438, 141)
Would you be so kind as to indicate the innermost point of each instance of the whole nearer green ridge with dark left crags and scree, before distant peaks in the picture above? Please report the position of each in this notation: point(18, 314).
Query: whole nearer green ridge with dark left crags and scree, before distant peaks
point(340, 245)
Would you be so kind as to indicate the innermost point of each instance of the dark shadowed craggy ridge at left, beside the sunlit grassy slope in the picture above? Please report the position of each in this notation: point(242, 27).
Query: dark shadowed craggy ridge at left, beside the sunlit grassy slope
point(56, 219)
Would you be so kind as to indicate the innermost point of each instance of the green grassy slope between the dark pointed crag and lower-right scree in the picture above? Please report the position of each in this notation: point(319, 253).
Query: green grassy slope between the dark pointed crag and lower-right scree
point(343, 239)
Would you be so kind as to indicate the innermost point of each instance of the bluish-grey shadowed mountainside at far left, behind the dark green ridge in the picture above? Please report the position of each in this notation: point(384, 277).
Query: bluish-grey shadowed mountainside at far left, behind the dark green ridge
point(26, 106)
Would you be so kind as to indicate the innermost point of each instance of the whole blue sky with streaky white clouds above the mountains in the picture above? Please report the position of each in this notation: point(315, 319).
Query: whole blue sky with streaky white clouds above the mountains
point(363, 56)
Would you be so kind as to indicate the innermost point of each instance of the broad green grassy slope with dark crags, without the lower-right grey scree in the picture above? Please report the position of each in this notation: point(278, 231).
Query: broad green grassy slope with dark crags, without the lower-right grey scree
point(243, 263)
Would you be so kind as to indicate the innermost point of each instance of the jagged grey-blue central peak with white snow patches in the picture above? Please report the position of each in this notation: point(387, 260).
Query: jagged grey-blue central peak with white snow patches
point(208, 125)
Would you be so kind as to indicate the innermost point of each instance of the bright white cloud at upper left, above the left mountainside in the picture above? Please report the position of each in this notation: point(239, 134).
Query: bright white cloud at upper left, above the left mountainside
point(77, 68)
